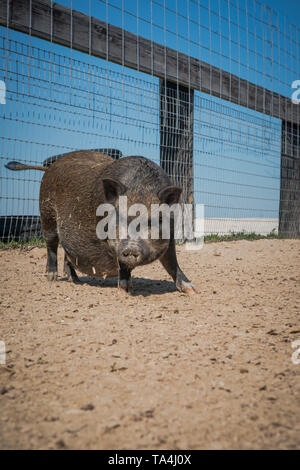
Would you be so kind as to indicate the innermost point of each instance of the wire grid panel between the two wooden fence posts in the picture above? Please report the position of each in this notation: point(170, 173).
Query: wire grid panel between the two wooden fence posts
point(238, 174)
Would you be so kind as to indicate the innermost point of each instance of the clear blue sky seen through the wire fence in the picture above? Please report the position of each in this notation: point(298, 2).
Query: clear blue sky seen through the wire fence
point(59, 100)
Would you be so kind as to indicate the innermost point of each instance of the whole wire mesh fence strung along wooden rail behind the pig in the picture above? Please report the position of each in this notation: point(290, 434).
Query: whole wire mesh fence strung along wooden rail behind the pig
point(202, 88)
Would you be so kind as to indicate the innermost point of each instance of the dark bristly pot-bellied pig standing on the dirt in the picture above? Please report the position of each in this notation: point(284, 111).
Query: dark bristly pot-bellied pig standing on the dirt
point(71, 190)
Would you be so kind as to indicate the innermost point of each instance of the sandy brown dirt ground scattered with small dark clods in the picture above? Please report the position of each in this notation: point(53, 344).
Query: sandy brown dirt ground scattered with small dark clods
point(90, 367)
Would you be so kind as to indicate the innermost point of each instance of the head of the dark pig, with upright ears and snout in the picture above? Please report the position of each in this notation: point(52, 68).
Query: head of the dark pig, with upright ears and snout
point(137, 244)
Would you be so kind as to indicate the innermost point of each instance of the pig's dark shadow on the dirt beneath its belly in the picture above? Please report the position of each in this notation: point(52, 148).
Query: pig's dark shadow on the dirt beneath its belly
point(141, 286)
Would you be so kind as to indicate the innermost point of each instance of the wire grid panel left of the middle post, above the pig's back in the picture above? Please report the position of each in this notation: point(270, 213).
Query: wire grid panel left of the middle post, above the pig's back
point(56, 104)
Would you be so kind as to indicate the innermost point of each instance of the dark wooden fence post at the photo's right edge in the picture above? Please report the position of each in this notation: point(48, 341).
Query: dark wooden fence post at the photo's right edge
point(289, 208)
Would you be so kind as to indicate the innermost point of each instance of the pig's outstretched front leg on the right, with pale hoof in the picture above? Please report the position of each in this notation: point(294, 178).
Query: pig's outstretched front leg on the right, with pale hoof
point(170, 263)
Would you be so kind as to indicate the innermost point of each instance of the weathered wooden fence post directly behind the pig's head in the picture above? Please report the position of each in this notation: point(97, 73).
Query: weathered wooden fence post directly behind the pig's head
point(176, 135)
